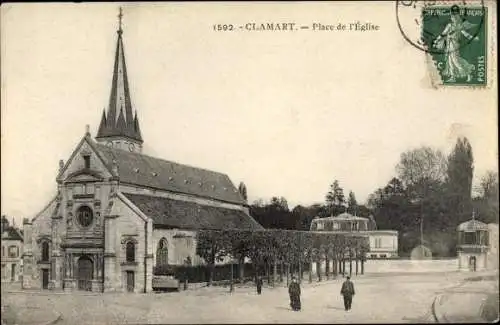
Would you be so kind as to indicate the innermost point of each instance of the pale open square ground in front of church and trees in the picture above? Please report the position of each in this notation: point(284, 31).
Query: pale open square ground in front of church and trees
point(379, 299)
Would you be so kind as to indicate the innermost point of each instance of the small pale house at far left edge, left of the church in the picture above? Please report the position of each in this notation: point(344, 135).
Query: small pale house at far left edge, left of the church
point(12, 250)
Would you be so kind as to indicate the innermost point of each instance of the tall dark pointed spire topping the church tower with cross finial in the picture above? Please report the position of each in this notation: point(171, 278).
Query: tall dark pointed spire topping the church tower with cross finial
point(119, 121)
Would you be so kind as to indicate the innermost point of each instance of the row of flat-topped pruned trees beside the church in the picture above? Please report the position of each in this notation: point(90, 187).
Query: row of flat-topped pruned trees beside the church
point(284, 250)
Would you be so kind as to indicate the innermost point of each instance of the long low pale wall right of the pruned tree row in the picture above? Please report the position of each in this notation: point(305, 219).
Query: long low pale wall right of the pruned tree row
point(410, 266)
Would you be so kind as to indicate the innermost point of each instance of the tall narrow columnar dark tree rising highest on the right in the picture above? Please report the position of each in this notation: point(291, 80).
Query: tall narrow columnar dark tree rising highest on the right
point(459, 180)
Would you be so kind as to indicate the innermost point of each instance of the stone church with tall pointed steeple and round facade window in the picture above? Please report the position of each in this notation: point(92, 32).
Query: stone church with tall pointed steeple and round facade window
point(118, 212)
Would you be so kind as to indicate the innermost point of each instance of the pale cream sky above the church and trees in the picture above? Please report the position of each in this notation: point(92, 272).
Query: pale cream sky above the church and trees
point(284, 112)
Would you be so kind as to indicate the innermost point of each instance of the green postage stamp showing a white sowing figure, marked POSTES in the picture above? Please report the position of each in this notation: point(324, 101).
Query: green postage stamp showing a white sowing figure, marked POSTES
point(455, 37)
